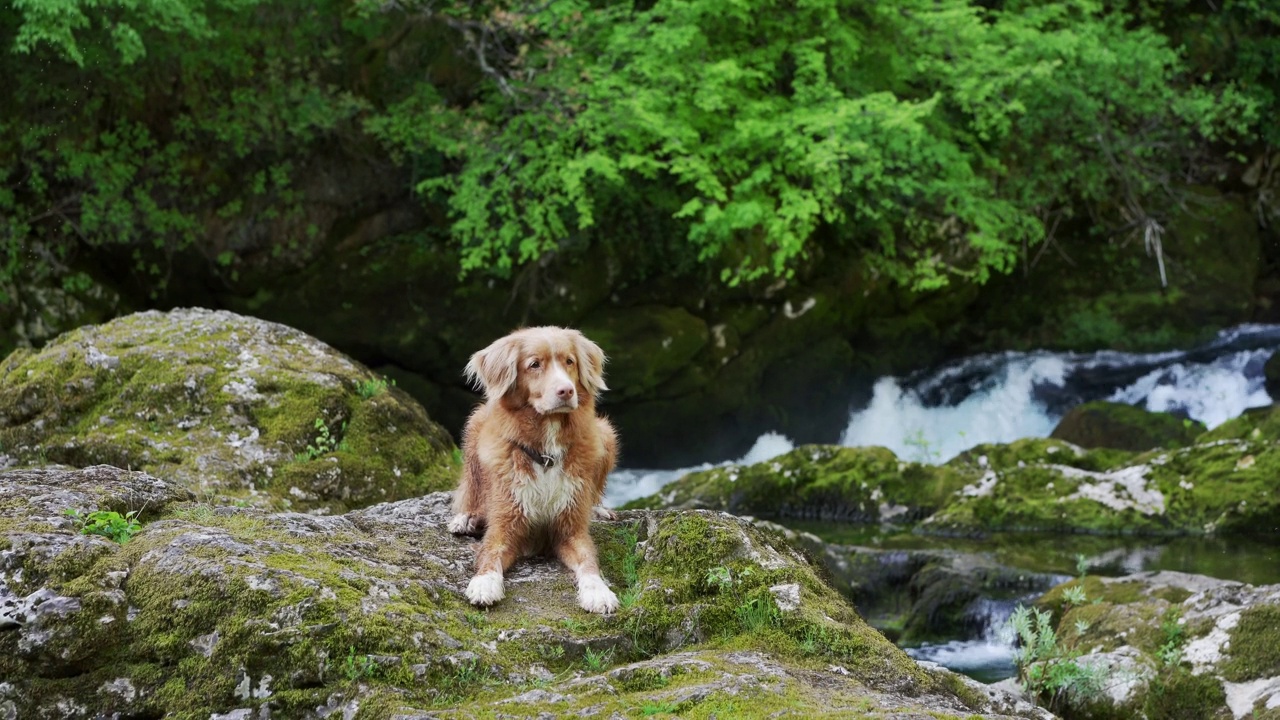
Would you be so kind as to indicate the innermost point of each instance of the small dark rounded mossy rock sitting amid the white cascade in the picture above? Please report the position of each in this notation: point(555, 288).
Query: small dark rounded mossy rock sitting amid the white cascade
point(1124, 427)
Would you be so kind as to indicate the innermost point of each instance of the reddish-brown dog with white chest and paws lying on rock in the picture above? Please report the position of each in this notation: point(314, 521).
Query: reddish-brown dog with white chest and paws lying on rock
point(536, 459)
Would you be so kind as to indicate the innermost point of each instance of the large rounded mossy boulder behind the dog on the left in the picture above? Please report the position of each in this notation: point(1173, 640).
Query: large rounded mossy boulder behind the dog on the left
point(227, 405)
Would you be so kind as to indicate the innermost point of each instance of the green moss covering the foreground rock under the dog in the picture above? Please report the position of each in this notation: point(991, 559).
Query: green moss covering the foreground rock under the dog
point(222, 601)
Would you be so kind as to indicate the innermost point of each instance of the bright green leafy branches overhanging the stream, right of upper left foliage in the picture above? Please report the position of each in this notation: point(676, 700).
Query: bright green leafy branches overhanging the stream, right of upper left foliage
point(941, 138)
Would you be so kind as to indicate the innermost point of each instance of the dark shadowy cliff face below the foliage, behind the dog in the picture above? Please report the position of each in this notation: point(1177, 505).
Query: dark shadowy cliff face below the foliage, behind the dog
point(698, 371)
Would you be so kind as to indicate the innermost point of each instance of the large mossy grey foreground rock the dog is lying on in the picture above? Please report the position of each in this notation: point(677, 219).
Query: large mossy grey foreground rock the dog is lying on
point(225, 610)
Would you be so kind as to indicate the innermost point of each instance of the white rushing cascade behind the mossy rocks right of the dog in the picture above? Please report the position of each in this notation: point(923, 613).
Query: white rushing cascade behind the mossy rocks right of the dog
point(934, 416)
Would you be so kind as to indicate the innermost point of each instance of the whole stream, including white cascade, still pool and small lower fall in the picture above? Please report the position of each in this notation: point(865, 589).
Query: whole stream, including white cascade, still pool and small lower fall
point(934, 416)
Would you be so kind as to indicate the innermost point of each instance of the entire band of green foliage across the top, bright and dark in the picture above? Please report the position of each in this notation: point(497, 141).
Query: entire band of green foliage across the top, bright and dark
point(939, 139)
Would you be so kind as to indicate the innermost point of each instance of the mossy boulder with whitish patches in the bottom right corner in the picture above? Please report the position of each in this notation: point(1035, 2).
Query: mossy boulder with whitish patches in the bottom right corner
point(1171, 645)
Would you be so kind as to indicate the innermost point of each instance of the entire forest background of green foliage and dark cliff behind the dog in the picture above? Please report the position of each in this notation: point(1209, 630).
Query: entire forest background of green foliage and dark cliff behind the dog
point(756, 208)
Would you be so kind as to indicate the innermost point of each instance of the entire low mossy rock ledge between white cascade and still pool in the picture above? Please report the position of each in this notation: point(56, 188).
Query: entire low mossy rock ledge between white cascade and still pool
point(1222, 485)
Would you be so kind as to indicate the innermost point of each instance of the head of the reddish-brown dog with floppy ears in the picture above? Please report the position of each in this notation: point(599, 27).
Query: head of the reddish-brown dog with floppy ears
point(552, 370)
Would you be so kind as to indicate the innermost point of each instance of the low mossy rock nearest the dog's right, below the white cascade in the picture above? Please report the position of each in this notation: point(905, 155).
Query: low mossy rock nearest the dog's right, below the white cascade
point(820, 482)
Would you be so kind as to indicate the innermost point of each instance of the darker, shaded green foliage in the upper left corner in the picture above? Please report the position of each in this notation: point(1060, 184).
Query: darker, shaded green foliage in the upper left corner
point(150, 125)
